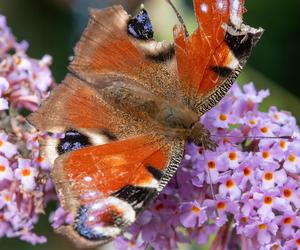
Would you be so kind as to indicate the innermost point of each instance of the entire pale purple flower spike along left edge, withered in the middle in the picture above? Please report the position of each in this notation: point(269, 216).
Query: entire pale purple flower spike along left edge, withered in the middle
point(24, 185)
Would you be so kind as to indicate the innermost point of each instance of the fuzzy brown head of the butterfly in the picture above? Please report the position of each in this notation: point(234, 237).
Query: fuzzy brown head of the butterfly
point(201, 137)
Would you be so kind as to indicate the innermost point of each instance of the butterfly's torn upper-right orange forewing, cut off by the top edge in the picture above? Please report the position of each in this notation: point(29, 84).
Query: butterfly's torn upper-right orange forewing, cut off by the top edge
point(211, 58)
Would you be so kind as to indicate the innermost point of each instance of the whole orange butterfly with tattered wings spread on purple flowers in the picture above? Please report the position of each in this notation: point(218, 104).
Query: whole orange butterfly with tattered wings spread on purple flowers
point(128, 106)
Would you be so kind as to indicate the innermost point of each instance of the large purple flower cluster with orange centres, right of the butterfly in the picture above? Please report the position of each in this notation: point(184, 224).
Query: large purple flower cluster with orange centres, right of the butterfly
point(246, 193)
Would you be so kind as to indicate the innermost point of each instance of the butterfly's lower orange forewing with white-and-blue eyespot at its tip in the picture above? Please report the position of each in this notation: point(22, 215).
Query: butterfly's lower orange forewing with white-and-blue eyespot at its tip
point(108, 186)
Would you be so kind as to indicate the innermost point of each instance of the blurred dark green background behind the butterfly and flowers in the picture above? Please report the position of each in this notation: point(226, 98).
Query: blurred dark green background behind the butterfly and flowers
point(53, 27)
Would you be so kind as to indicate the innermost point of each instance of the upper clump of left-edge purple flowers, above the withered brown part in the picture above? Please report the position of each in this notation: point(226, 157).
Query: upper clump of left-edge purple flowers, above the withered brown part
point(24, 81)
